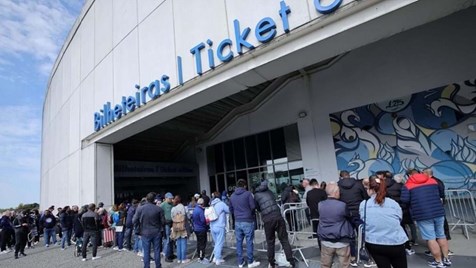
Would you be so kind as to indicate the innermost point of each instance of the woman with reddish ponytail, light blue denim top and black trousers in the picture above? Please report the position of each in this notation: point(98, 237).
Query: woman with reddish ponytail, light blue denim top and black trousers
point(384, 236)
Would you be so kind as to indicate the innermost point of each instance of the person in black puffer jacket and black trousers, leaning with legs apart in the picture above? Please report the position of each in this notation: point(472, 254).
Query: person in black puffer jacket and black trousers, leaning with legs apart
point(273, 223)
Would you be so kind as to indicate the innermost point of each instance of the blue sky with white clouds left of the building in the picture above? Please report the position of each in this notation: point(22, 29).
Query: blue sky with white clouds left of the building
point(31, 35)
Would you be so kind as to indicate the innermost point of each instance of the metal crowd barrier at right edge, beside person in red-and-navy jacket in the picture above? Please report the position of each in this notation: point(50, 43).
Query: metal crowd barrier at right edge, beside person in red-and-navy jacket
point(461, 210)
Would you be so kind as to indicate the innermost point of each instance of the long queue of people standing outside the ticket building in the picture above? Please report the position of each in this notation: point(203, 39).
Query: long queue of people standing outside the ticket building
point(154, 227)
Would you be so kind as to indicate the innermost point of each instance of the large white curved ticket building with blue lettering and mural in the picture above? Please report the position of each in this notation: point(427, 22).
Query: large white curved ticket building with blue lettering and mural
point(306, 91)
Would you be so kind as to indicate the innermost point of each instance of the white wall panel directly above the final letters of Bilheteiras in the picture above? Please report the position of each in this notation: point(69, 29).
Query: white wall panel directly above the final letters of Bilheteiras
point(156, 52)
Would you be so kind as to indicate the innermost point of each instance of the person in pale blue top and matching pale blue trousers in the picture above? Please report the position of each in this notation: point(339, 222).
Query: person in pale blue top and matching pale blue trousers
point(217, 227)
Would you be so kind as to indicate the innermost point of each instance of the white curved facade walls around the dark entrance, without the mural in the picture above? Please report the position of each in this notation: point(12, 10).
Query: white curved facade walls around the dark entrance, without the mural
point(116, 45)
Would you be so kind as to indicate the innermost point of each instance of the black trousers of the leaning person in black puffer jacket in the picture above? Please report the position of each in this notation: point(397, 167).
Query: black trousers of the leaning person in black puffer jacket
point(270, 229)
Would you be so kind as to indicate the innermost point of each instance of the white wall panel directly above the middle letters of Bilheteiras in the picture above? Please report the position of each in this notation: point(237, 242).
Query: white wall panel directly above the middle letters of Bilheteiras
point(126, 67)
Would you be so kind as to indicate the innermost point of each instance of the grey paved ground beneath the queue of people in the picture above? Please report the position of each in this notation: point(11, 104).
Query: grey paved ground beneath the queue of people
point(54, 257)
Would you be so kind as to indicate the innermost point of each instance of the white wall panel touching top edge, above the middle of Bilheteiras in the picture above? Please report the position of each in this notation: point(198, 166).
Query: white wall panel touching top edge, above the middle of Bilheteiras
point(124, 18)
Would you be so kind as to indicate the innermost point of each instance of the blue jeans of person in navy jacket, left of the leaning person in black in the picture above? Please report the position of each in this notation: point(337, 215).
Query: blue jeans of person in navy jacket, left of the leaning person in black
point(242, 230)
